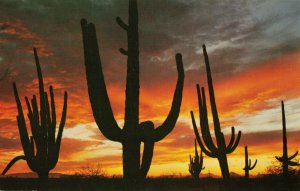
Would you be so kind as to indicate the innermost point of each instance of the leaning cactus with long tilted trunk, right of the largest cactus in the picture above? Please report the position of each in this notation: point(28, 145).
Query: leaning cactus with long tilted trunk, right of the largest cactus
point(220, 150)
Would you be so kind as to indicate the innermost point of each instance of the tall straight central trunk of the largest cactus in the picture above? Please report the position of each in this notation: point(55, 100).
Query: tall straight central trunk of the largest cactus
point(131, 148)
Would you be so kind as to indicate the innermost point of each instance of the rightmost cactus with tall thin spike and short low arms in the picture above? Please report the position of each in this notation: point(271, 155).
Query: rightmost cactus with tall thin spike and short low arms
point(284, 159)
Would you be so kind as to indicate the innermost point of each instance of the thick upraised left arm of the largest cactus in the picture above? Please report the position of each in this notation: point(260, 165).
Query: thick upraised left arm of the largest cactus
point(99, 99)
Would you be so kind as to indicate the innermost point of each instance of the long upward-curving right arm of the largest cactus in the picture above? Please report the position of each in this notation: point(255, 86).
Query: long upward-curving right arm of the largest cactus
point(172, 117)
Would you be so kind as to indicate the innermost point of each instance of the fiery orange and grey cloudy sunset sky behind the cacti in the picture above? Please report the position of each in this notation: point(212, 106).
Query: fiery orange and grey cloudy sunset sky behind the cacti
point(254, 50)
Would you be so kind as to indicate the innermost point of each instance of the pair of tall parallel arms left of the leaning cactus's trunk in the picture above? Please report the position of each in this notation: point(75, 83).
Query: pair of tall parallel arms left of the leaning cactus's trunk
point(204, 120)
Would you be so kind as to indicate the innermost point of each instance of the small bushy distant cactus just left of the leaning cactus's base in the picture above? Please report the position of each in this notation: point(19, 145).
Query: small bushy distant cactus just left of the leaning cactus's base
point(196, 163)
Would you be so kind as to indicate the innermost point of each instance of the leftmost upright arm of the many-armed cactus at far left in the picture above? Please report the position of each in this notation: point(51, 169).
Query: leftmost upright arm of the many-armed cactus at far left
point(21, 123)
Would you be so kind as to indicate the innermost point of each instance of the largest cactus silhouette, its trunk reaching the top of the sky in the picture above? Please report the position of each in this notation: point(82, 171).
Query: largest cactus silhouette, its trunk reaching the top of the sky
point(133, 133)
